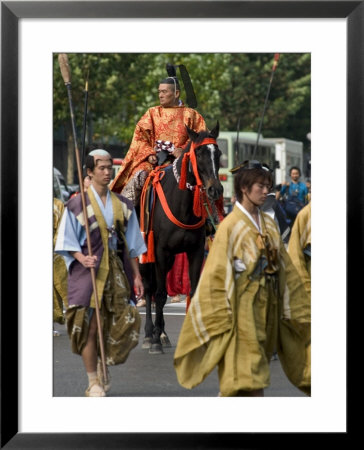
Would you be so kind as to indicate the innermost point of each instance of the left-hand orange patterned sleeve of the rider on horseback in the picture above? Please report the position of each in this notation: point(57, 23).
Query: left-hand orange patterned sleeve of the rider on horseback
point(142, 146)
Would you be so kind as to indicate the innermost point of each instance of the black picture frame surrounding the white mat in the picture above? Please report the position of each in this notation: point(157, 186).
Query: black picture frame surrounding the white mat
point(11, 12)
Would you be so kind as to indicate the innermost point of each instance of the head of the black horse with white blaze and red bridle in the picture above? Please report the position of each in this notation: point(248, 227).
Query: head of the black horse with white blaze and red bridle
point(208, 160)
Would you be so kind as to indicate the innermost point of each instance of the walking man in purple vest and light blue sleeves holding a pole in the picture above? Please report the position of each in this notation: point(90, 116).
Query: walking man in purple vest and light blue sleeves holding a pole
point(116, 243)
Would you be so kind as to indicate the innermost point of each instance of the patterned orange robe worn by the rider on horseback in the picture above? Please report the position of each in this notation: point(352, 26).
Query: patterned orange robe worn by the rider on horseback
point(167, 124)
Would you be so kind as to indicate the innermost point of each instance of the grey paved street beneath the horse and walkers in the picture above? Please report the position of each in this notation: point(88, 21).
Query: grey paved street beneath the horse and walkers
point(145, 375)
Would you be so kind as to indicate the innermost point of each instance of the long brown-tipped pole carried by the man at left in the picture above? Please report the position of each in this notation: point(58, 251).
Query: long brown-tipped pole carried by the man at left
point(66, 74)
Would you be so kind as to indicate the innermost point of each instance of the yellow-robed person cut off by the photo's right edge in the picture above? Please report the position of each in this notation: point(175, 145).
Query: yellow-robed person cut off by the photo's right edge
point(299, 246)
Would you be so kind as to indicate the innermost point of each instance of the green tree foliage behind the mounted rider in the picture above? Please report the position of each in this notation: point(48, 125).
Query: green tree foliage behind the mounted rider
point(228, 87)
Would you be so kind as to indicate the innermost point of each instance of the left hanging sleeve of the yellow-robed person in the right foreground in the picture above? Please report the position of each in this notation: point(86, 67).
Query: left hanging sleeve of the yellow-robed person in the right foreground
point(207, 328)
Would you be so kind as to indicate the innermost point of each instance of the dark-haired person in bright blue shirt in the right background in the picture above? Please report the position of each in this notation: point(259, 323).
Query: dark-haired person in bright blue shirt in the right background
point(294, 193)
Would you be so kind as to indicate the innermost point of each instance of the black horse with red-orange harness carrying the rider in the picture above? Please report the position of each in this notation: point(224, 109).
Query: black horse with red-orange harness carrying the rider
point(170, 238)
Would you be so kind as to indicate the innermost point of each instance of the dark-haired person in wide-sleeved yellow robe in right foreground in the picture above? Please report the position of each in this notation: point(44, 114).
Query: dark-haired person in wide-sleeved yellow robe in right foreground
point(249, 302)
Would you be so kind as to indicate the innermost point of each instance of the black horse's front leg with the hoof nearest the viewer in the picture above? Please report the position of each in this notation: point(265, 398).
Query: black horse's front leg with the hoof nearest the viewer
point(163, 264)
